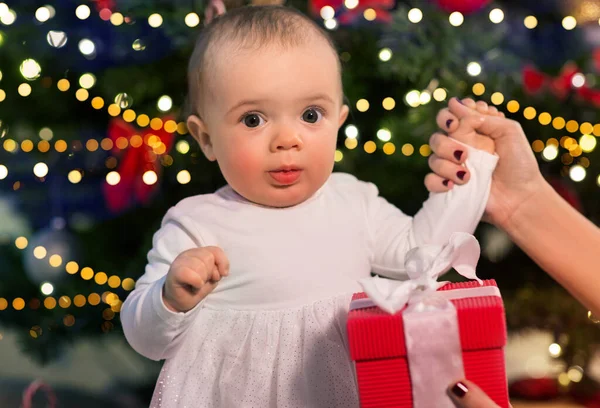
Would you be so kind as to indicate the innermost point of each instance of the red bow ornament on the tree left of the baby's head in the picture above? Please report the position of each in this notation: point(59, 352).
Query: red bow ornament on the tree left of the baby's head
point(134, 162)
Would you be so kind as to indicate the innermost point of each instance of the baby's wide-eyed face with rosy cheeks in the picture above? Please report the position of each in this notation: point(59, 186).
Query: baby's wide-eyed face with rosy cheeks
point(272, 116)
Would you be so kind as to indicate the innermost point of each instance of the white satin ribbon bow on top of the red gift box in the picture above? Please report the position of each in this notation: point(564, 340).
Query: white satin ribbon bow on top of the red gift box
point(424, 266)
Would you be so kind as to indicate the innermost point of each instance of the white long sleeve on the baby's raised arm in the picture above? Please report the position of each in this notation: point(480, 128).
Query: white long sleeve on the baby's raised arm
point(392, 233)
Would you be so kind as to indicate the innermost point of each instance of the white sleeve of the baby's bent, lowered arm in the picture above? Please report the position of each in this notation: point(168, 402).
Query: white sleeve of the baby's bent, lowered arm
point(150, 327)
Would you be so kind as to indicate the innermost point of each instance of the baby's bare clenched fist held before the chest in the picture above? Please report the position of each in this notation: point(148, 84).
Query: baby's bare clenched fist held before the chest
point(192, 276)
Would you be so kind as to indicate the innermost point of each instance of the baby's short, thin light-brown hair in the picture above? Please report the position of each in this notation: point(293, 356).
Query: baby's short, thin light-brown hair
point(249, 26)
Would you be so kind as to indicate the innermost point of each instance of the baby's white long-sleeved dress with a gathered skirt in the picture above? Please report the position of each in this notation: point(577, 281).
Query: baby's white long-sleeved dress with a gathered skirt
point(273, 333)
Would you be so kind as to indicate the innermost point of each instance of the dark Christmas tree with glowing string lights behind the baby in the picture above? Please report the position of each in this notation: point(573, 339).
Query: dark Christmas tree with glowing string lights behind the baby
point(95, 149)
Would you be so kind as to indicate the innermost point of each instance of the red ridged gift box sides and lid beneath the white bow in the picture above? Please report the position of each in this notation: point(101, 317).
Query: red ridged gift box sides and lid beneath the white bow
point(377, 345)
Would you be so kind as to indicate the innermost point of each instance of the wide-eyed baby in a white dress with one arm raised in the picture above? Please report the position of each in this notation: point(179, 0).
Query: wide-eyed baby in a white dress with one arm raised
point(247, 290)
